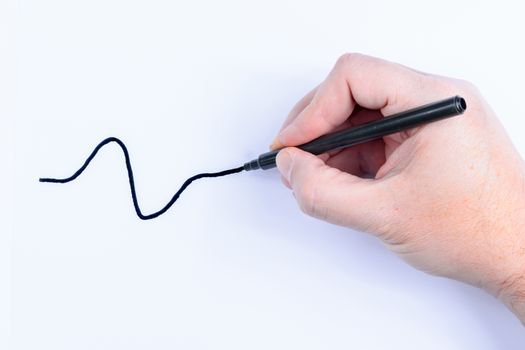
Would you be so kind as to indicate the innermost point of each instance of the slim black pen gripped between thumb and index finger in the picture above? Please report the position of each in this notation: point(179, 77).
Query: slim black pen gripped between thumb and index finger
point(366, 132)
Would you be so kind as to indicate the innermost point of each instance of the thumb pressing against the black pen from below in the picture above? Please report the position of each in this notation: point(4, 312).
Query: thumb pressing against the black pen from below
point(335, 196)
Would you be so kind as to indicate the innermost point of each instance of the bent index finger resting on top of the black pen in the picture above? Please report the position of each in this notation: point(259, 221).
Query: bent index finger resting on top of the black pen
point(356, 80)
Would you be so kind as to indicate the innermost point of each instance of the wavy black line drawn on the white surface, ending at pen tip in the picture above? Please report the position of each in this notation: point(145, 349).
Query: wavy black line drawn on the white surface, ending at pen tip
point(132, 181)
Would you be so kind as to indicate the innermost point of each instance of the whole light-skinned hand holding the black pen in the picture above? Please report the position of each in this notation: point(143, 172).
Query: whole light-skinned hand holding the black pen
point(447, 197)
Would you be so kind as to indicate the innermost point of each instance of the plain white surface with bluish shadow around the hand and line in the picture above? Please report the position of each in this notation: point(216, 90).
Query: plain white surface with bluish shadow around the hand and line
point(202, 86)
